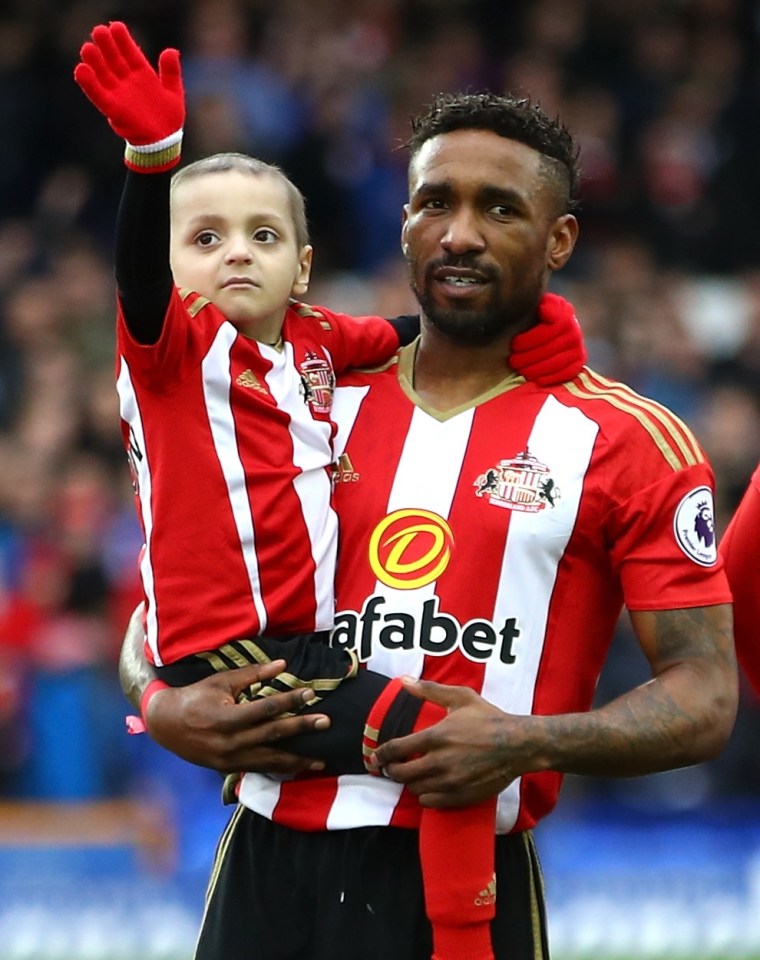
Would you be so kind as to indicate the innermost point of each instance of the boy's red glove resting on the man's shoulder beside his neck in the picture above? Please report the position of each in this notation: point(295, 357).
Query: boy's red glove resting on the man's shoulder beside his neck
point(552, 351)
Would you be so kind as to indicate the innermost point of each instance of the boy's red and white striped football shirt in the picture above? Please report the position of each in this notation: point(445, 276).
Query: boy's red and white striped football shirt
point(231, 444)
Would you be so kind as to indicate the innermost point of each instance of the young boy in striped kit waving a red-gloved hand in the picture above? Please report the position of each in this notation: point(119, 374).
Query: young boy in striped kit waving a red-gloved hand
point(225, 385)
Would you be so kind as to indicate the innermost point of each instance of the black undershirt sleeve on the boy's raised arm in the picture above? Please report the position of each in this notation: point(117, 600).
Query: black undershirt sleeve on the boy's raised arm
point(143, 274)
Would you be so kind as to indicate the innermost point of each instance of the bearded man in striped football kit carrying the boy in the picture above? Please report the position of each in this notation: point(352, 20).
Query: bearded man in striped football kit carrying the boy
point(491, 531)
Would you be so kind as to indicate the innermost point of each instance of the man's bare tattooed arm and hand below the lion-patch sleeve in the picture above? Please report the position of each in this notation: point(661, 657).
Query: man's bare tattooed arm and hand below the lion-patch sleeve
point(683, 715)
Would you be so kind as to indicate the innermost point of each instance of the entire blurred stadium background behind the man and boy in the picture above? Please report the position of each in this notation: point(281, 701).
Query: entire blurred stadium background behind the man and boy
point(105, 840)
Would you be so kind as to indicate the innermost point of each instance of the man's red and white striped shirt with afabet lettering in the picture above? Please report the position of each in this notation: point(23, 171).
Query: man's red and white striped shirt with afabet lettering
point(494, 547)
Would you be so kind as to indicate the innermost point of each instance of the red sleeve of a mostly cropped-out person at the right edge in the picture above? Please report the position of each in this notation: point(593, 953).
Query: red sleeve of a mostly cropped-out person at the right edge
point(740, 549)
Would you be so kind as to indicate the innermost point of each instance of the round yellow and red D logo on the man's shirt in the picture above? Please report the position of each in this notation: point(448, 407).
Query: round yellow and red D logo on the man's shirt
point(410, 548)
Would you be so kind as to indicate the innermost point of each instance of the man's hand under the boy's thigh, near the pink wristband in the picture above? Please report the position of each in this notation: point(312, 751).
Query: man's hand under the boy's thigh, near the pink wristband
point(203, 723)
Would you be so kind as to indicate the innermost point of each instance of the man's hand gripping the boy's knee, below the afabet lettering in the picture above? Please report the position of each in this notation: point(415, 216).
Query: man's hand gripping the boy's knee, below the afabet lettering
point(458, 761)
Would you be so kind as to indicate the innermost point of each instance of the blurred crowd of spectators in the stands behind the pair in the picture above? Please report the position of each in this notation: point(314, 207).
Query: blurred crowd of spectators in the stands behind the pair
point(664, 99)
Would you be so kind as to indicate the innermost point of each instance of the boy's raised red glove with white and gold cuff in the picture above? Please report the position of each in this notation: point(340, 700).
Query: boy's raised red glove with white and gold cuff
point(146, 108)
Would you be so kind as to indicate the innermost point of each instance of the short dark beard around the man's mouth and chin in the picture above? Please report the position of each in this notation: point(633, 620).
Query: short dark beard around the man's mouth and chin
point(472, 325)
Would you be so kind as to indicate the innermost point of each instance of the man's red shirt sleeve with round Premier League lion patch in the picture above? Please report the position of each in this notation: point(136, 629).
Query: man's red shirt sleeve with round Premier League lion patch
point(663, 543)
